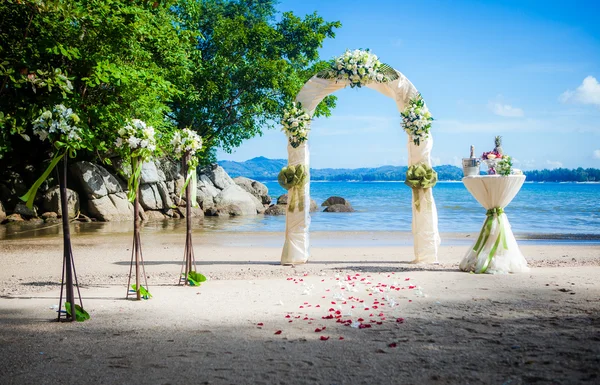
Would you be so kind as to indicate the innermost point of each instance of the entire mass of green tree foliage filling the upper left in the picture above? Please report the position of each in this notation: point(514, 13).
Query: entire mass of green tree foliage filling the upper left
point(224, 68)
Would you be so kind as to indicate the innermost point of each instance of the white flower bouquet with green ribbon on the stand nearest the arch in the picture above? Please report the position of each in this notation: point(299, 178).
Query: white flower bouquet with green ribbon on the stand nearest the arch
point(187, 143)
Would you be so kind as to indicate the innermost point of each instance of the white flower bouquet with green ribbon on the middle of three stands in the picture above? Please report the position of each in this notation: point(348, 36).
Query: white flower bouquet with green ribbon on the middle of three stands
point(136, 142)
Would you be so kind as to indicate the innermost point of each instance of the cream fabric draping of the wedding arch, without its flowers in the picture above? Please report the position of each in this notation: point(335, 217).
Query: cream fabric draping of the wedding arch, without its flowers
point(425, 220)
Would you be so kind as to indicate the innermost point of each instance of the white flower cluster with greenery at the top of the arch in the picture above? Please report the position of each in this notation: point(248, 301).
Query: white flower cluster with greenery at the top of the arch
point(359, 67)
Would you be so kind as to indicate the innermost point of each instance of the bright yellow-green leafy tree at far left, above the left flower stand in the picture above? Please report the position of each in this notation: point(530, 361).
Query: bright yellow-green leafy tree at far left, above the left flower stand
point(109, 60)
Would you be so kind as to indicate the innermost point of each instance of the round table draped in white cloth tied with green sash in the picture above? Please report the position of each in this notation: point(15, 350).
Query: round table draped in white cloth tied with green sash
point(496, 249)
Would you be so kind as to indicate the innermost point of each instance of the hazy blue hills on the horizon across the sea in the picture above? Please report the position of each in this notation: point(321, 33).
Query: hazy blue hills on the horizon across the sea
point(264, 169)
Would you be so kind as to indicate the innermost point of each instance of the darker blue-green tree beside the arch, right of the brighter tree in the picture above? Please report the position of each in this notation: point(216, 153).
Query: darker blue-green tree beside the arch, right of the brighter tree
point(251, 61)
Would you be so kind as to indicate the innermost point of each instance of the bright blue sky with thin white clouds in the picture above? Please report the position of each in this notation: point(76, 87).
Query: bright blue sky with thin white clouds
point(526, 70)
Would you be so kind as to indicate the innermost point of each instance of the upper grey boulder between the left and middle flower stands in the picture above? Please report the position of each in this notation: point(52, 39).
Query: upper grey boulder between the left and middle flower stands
point(94, 180)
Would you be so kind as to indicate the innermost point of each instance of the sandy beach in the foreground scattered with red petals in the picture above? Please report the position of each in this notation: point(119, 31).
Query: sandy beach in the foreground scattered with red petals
point(357, 313)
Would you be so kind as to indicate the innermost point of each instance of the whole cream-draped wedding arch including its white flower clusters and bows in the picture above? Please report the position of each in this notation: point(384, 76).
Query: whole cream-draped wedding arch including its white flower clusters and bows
point(358, 69)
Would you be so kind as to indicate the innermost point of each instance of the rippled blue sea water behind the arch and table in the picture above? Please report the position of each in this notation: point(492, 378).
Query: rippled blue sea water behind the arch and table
point(538, 208)
